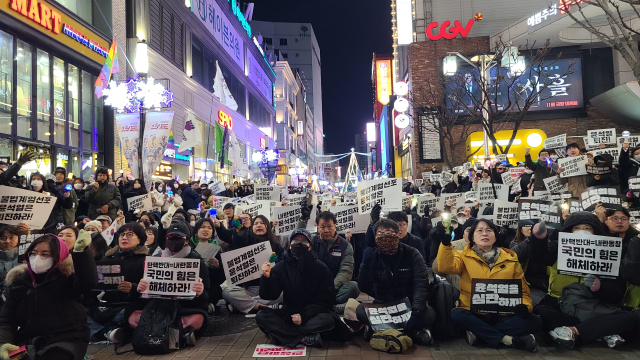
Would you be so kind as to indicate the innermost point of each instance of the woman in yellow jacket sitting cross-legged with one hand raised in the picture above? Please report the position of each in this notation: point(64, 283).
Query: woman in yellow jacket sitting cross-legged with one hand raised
point(483, 259)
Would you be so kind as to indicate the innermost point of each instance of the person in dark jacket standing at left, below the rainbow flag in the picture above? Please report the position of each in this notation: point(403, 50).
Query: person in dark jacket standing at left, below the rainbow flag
point(103, 198)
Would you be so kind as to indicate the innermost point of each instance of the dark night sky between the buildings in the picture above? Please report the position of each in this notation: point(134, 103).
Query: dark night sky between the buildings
point(348, 33)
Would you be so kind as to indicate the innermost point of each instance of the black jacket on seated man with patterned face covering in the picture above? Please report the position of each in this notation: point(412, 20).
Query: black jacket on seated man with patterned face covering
point(395, 277)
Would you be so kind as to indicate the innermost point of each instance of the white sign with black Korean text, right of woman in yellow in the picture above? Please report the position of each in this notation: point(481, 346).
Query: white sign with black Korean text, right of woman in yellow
point(586, 254)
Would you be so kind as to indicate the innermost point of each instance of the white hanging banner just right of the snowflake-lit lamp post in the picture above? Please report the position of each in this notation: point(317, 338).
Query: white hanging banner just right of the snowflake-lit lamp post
point(156, 136)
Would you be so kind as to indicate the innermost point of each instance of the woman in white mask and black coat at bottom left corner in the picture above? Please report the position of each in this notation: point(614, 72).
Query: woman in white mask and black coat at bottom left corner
point(42, 308)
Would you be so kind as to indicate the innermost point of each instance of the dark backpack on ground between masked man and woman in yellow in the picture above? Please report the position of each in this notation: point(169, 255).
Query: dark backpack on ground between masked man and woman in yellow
point(442, 298)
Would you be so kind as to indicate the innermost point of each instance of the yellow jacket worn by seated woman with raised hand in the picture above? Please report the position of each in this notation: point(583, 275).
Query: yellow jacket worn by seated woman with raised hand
point(469, 265)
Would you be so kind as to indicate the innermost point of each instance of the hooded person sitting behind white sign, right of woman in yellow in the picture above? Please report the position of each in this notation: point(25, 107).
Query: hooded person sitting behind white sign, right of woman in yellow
point(605, 319)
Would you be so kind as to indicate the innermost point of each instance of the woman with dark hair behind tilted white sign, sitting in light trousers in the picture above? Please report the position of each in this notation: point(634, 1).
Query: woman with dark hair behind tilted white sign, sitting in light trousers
point(245, 297)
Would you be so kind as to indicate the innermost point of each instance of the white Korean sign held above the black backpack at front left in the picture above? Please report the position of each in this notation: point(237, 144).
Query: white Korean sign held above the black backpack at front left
point(171, 278)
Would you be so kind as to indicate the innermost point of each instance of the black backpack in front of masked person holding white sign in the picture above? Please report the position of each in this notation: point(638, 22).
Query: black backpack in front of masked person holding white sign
point(159, 330)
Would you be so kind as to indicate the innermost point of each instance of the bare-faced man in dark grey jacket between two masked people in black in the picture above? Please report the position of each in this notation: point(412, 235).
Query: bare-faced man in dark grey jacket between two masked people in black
point(335, 252)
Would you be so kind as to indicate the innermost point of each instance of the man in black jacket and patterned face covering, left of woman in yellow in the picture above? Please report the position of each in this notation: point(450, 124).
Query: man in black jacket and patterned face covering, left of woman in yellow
point(396, 271)
